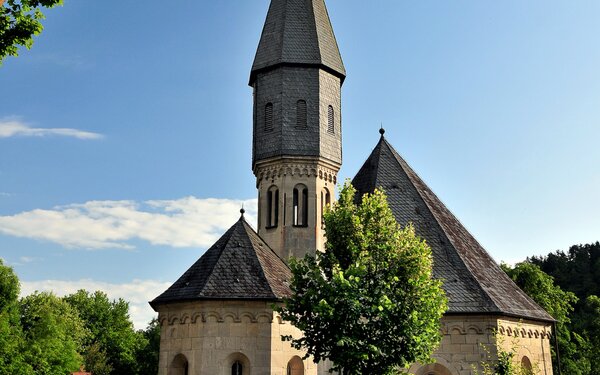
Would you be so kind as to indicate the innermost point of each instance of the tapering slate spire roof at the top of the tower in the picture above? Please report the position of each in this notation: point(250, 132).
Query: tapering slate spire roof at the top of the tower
point(298, 32)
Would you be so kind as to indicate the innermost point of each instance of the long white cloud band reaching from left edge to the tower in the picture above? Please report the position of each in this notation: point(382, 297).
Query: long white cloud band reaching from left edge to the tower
point(185, 222)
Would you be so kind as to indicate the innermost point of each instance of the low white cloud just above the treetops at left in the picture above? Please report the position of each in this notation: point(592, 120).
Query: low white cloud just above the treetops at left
point(137, 293)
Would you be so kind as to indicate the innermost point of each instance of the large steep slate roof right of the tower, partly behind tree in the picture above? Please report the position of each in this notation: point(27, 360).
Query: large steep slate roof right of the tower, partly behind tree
point(473, 282)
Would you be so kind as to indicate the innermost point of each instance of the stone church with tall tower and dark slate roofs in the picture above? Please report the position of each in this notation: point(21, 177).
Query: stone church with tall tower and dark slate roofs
point(216, 319)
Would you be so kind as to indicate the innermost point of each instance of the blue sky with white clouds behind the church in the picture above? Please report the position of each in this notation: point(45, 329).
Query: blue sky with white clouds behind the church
point(125, 133)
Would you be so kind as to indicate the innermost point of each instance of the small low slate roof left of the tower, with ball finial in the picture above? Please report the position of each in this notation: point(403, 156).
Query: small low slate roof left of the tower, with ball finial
point(240, 265)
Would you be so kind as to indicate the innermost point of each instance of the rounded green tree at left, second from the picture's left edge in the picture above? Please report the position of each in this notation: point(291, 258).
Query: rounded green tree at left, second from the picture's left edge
point(53, 334)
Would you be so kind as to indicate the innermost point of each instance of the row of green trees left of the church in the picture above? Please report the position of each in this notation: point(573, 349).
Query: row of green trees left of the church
point(44, 334)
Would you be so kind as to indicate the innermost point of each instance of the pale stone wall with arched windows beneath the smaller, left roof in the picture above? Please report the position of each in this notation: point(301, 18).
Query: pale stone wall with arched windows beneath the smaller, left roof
point(208, 337)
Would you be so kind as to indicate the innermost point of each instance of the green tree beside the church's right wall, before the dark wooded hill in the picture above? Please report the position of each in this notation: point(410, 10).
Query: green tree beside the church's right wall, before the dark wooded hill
point(558, 303)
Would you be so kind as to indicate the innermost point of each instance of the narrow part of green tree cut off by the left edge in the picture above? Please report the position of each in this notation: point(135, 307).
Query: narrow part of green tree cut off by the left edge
point(12, 360)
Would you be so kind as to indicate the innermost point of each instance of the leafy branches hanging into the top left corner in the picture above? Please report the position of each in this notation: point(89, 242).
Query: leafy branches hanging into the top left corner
point(20, 20)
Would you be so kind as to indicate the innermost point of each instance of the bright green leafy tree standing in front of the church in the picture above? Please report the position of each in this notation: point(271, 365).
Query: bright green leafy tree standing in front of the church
point(369, 303)
